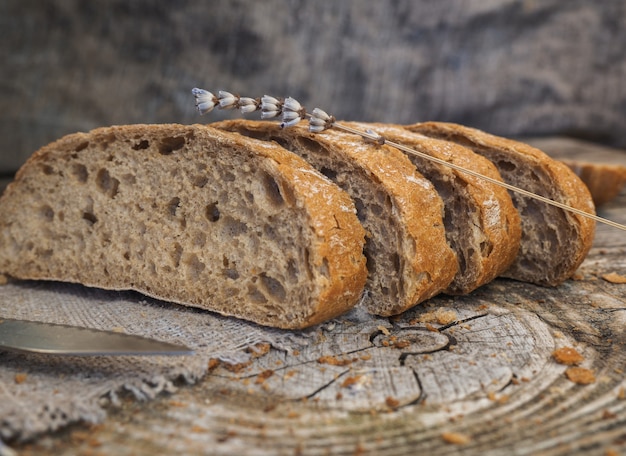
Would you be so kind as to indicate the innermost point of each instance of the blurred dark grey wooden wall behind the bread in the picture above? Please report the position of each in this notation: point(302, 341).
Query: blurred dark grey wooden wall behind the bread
point(510, 67)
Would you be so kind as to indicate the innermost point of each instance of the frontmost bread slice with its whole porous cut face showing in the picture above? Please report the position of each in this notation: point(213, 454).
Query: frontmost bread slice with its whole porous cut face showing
point(188, 214)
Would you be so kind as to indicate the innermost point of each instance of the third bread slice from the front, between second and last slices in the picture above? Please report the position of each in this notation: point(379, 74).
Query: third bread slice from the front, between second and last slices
point(482, 225)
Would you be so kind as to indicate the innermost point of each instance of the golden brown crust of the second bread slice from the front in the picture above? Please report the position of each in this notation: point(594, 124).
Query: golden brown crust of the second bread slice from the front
point(433, 263)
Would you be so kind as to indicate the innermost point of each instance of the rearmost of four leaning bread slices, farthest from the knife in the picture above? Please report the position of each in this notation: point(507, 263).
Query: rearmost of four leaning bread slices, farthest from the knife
point(554, 241)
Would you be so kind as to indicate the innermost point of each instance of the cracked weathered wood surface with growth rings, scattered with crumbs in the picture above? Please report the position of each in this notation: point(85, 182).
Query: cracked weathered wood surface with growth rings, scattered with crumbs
point(460, 375)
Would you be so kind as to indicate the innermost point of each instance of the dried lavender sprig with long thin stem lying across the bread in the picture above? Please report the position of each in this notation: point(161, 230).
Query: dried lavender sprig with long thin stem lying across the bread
point(319, 121)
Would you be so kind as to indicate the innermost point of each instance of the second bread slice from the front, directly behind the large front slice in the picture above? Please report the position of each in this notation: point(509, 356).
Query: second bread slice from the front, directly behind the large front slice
point(408, 258)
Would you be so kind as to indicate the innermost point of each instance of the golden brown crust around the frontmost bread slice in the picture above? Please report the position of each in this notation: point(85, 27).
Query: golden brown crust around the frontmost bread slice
point(337, 235)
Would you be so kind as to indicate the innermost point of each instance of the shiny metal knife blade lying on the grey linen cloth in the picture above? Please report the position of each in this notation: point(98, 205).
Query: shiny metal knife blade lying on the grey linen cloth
point(36, 337)
